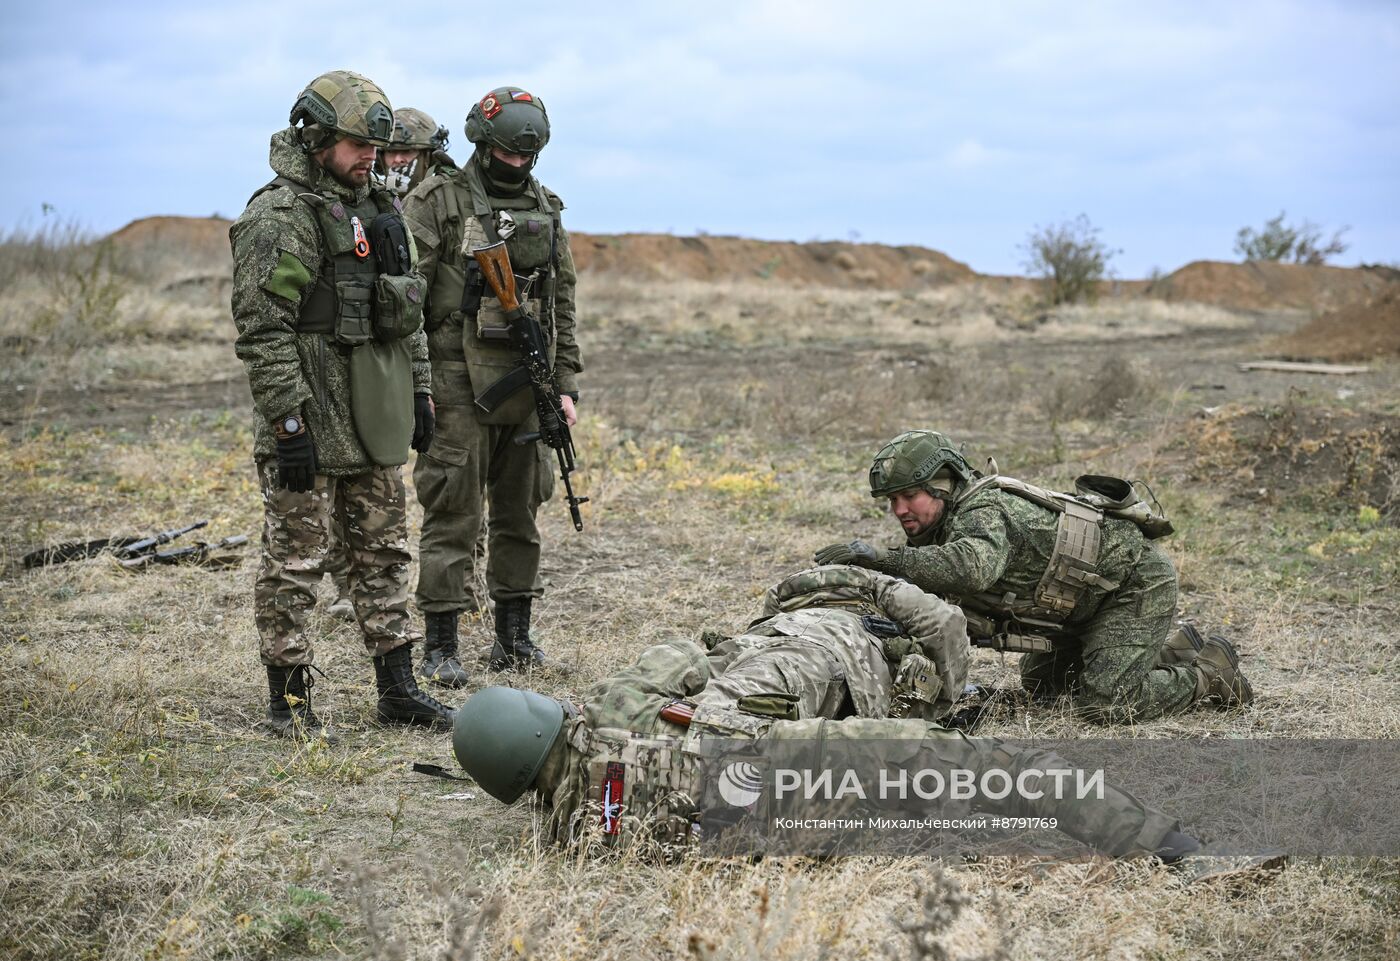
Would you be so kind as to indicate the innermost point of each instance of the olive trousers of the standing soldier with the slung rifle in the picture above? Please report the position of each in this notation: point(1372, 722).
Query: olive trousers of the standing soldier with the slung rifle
point(477, 477)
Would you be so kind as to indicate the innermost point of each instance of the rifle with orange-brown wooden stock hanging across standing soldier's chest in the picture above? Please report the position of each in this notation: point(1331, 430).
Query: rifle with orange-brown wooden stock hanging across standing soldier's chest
point(535, 372)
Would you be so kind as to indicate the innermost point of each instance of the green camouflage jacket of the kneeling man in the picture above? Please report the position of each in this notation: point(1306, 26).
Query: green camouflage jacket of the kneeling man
point(999, 543)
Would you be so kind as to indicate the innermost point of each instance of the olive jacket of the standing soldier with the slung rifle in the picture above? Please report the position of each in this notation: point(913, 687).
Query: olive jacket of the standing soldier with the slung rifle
point(435, 211)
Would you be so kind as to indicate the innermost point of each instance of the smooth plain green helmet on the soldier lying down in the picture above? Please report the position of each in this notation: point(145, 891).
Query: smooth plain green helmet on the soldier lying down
point(502, 738)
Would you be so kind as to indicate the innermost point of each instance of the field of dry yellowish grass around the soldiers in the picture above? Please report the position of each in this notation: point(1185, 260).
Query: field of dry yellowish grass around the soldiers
point(726, 436)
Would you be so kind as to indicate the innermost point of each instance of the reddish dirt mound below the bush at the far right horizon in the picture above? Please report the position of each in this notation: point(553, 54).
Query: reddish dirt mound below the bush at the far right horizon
point(1269, 286)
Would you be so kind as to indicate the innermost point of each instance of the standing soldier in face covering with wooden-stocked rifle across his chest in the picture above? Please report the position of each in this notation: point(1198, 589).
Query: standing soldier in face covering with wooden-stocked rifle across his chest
point(475, 466)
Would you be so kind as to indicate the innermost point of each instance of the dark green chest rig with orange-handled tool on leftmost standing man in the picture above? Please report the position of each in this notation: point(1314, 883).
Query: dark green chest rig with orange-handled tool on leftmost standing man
point(342, 303)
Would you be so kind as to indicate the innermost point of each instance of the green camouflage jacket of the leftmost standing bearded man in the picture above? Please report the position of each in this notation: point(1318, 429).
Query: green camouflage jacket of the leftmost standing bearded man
point(278, 258)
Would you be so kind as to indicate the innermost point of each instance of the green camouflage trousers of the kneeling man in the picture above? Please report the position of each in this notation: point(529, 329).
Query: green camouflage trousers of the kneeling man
point(1111, 666)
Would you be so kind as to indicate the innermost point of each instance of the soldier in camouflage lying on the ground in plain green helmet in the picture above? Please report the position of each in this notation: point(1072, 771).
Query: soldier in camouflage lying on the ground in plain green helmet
point(814, 666)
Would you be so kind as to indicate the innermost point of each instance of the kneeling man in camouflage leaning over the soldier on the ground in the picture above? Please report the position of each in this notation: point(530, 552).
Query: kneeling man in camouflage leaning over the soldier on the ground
point(1023, 555)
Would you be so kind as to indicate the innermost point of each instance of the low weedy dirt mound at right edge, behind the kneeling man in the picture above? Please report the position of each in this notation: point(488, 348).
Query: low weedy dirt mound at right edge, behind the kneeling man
point(1301, 453)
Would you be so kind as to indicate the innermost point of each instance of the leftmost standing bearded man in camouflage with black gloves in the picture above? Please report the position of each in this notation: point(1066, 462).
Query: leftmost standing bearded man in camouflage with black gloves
point(328, 309)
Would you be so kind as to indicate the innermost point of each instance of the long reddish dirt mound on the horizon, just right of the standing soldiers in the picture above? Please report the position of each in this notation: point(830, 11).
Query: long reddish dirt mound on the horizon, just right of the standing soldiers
point(829, 264)
